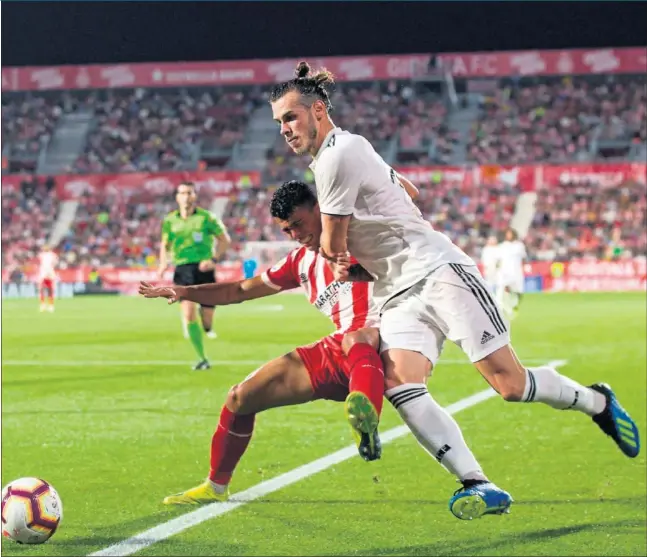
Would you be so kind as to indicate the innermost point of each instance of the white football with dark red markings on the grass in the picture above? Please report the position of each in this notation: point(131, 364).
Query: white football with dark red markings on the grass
point(31, 511)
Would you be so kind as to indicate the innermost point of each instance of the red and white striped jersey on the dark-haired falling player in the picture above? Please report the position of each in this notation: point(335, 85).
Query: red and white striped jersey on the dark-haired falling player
point(349, 305)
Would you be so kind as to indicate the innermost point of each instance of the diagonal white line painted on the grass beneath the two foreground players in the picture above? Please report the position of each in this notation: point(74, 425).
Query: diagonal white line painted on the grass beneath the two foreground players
point(188, 520)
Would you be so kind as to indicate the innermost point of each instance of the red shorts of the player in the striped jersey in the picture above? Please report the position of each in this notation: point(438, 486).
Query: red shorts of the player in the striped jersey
point(327, 367)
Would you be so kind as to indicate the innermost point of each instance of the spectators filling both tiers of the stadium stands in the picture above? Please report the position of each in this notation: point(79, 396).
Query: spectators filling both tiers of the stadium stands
point(153, 130)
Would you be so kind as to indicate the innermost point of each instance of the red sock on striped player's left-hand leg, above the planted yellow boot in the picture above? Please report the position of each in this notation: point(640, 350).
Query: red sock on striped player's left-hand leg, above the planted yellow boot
point(228, 444)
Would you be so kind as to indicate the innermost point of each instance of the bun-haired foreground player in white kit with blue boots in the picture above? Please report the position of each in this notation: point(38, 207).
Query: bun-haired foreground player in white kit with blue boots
point(426, 289)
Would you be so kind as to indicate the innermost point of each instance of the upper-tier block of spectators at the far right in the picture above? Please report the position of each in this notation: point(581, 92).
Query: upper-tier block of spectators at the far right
point(559, 121)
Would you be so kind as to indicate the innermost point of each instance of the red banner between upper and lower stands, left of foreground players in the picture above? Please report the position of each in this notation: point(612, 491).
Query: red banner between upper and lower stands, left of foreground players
point(144, 184)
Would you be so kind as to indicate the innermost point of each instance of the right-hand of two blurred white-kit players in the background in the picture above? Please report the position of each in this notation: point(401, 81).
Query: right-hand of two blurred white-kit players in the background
point(510, 275)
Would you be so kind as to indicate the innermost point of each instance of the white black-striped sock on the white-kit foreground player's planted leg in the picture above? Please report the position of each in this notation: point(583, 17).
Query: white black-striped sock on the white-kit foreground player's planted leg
point(435, 430)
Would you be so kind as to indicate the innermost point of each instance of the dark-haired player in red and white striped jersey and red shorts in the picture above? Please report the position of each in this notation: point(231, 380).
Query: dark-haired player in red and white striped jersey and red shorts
point(343, 366)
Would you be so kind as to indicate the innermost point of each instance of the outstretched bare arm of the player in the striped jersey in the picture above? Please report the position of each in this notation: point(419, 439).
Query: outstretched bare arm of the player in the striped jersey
point(215, 294)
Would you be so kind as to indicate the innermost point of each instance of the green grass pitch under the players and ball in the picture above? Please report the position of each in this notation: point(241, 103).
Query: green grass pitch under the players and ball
point(99, 399)
